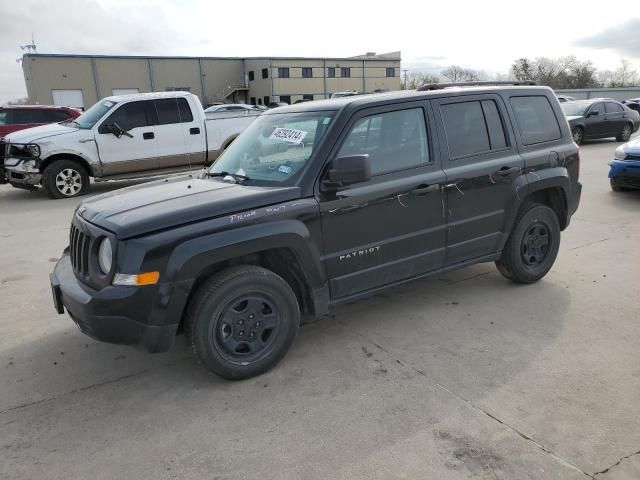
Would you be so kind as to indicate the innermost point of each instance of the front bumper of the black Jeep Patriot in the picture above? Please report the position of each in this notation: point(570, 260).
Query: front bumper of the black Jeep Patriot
point(148, 316)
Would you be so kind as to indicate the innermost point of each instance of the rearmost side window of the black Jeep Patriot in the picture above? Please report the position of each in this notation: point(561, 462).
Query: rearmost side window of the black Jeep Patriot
point(536, 120)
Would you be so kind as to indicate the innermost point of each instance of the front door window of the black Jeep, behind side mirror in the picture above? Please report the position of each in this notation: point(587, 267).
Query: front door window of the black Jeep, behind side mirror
point(393, 140)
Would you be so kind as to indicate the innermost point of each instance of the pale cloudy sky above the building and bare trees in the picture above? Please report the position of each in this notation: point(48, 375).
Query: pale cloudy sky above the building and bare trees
point(484, 35)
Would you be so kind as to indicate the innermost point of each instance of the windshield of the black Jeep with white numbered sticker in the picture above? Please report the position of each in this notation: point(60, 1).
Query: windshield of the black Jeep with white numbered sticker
point(275, 148)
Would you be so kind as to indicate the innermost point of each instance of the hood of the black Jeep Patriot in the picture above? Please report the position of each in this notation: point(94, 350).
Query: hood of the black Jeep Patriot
point(169, 203)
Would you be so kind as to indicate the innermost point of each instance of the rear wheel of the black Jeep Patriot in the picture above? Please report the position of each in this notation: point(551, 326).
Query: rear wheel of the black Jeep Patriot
point(532, 246)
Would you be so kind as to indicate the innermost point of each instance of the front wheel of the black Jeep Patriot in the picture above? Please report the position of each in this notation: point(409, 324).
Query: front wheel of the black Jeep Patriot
point(242, 321)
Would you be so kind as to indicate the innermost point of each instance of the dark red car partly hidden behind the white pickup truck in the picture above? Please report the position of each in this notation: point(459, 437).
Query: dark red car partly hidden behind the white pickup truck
point(20, 117)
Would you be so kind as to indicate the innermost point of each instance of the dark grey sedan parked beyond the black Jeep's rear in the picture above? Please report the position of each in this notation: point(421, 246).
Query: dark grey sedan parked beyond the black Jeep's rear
point(600, 118)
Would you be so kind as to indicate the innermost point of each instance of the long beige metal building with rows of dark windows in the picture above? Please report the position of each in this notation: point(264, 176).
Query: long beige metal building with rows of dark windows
point(81, 80)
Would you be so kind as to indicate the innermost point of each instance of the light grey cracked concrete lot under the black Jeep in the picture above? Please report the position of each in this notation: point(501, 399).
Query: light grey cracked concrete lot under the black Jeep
point(461, 376)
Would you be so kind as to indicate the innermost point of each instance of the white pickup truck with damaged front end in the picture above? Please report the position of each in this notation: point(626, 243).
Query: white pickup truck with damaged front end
point(120, 137)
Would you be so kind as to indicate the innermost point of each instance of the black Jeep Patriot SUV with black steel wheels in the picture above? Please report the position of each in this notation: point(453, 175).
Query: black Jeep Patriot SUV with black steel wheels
point(321, 203)
